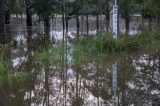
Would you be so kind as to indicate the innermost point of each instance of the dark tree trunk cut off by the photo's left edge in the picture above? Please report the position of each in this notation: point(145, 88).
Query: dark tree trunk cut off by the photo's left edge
point(2, 22)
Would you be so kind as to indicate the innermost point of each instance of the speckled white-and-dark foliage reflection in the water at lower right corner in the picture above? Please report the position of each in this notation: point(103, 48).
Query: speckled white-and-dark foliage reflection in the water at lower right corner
point(145, 83)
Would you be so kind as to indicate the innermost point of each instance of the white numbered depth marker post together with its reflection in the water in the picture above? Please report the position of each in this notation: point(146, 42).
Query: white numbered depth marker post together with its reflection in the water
point(114, 34)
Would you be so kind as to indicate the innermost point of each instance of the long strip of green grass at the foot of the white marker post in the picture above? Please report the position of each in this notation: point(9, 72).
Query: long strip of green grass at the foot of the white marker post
point(105, 44)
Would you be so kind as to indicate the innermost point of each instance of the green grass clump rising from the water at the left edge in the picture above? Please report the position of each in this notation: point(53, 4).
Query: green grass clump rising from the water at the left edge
point(8, 78)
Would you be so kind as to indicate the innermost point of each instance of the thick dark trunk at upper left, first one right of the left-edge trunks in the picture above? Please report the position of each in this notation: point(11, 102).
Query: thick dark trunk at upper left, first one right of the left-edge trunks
point(28, 13)
